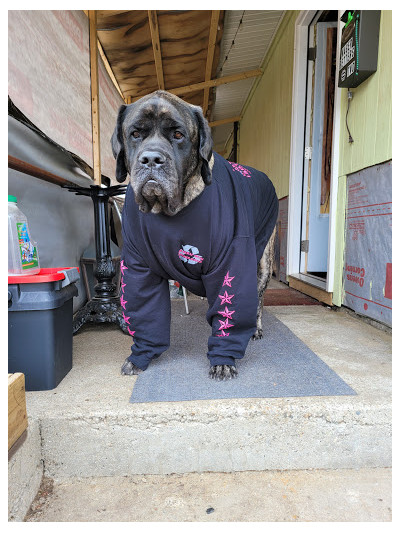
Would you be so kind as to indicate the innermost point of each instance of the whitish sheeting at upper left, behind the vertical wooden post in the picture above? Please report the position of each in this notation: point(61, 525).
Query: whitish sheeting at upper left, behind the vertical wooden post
point(49, 81)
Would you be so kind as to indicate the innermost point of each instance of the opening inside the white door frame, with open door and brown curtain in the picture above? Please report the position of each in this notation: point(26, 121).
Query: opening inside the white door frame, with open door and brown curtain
point(318, 149)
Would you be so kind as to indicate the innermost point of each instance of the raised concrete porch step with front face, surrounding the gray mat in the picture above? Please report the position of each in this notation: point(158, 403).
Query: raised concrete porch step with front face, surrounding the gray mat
point(88, 427)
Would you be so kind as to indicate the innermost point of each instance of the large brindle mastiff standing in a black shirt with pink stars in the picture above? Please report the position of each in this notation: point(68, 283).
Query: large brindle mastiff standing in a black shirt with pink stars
point(199, 220)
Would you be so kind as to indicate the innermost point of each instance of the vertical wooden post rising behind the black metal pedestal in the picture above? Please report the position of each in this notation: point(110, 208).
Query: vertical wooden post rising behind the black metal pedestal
point(94, 87)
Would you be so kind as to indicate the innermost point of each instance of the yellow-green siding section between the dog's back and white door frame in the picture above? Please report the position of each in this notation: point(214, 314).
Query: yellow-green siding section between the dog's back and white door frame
point(264, 141)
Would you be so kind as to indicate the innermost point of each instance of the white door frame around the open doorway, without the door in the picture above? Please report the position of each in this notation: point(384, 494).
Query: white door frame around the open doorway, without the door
point(297, 155)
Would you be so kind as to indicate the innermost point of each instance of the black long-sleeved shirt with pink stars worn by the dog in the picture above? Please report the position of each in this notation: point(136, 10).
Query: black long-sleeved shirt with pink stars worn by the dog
point(212, 248)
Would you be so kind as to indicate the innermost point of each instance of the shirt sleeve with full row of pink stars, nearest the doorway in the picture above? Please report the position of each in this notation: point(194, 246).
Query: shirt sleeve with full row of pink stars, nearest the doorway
point(232, 296)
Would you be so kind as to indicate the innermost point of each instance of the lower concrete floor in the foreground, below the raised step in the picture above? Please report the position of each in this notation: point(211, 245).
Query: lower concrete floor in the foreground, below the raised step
point(296, 496)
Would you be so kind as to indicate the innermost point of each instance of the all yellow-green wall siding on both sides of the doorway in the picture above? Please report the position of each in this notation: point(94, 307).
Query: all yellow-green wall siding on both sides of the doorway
point(265, 129)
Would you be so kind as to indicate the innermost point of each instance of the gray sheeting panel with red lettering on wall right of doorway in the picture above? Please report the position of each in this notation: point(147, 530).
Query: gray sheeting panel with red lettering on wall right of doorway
point(368, 257)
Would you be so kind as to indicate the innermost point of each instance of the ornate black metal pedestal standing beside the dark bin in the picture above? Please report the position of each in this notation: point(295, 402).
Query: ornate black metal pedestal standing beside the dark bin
point(105, 305)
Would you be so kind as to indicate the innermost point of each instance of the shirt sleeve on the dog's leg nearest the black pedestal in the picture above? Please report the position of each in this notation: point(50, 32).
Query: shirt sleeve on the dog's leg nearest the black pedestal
point(146, 306)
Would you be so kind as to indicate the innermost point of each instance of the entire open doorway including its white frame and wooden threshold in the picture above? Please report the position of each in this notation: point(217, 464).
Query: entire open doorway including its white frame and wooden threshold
point(314, 169)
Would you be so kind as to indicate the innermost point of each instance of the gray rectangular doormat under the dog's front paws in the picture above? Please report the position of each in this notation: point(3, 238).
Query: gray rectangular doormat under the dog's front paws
point(279, 365)
